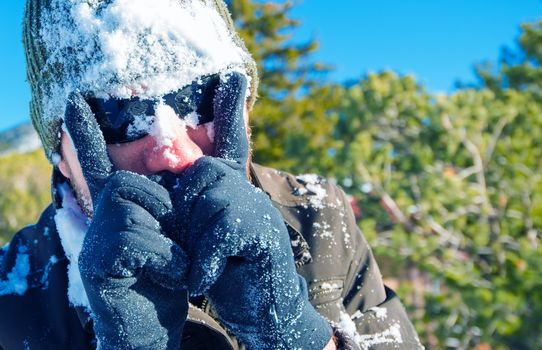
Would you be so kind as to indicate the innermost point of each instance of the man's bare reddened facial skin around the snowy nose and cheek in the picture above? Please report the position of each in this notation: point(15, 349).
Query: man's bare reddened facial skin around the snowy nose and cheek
point(146, 156)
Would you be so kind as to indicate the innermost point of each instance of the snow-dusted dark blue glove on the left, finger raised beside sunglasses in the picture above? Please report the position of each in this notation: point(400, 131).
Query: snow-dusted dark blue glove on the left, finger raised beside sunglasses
point(134, 276)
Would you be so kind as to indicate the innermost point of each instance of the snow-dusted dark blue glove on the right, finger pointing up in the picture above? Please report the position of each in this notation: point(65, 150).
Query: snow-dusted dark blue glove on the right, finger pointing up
point(238, 242)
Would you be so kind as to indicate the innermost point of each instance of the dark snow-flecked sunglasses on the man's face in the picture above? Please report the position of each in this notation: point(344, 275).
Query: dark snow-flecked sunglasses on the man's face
point(120, 120)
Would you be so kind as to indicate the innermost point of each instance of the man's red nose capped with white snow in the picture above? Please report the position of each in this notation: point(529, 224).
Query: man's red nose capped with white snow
point(173, 150)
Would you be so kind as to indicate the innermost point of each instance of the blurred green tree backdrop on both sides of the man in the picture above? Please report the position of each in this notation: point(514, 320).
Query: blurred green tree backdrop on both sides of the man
point(447, 188)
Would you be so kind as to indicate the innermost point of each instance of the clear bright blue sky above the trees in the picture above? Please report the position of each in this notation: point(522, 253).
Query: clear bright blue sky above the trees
point(437, 41)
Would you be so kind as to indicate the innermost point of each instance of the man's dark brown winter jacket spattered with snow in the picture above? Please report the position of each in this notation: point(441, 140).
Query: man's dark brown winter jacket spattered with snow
point(331, 253)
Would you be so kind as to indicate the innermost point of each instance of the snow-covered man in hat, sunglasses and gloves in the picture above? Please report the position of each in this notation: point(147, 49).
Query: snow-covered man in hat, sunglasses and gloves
point(142, 108)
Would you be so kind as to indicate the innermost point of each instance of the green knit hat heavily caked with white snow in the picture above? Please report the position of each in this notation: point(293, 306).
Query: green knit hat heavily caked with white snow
point(122, 48)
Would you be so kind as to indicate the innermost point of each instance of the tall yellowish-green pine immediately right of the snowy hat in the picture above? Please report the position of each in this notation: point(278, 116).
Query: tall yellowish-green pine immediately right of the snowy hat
point(294, 115)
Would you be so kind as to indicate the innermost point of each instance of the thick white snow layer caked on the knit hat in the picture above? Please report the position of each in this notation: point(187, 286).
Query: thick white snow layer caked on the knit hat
point(123, 48)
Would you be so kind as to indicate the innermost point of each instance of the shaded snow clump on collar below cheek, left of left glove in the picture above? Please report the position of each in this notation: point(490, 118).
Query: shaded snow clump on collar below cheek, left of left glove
point(72, 227)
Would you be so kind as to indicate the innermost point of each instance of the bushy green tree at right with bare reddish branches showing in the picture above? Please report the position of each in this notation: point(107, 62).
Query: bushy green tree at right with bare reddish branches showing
point(449, 188)
